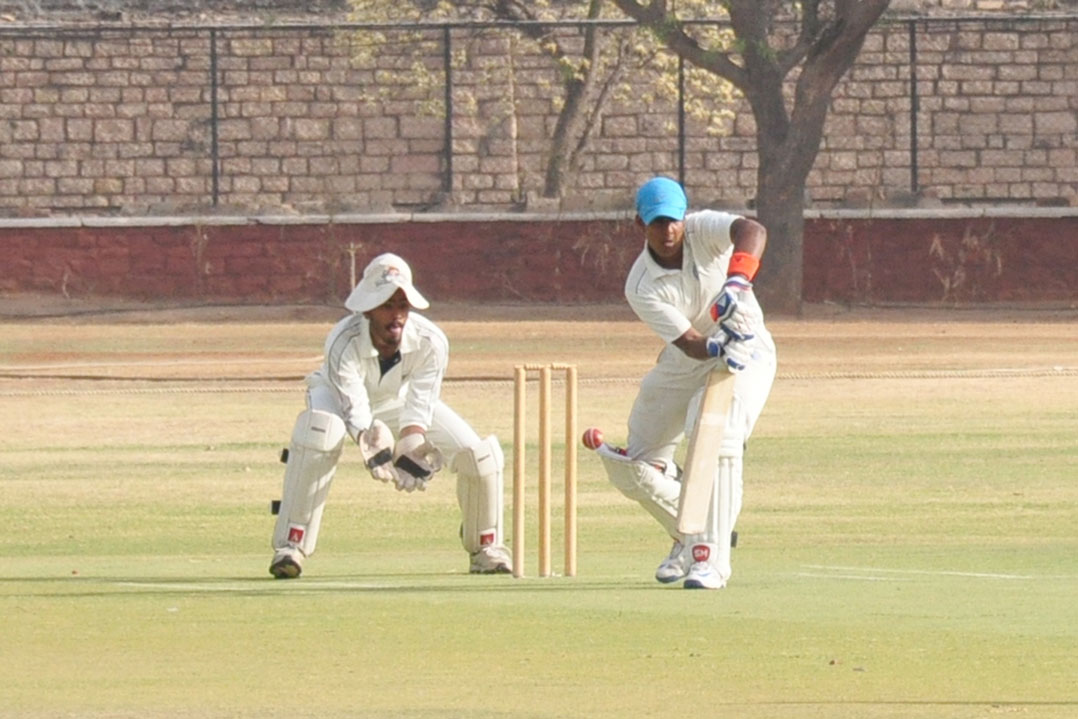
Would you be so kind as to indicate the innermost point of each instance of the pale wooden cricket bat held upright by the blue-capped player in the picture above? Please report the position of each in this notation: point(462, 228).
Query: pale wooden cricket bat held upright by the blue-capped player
point(701, 468)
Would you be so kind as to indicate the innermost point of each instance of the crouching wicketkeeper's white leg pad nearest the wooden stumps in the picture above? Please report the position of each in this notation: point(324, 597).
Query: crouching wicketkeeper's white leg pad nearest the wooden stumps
point(480, 473)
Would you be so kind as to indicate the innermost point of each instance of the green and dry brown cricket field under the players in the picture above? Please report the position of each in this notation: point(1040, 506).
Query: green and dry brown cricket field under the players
point(909, 544)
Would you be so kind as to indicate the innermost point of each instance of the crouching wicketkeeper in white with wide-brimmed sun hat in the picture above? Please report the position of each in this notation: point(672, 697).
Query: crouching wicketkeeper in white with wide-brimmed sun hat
point(382, 376)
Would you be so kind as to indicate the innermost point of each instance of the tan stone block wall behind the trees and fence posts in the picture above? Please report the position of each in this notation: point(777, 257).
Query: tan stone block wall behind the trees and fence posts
point(117, 120)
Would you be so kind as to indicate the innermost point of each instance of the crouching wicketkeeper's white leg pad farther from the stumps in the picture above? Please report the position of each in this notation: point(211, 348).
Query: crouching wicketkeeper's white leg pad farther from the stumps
point(313, 455)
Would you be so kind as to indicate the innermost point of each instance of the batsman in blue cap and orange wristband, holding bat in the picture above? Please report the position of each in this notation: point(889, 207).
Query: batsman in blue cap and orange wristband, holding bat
point(693, 285)
